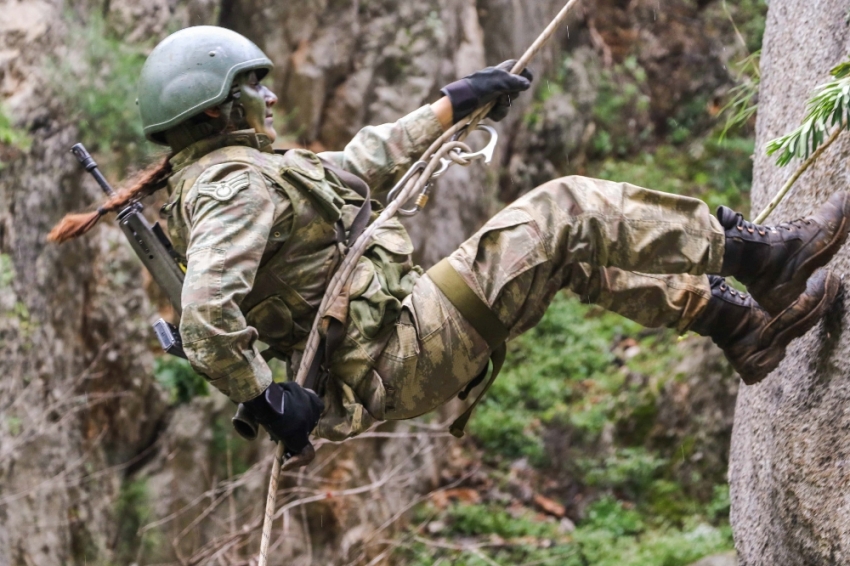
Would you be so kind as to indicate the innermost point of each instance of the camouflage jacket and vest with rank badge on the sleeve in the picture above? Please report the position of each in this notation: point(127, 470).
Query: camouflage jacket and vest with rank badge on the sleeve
point(258, 232)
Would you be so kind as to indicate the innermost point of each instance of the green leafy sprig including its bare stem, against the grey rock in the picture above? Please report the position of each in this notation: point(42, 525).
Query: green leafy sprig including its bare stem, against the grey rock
point(827, 108)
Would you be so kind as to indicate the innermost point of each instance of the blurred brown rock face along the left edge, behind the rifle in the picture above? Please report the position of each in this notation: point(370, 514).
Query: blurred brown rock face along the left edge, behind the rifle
point(74, 355)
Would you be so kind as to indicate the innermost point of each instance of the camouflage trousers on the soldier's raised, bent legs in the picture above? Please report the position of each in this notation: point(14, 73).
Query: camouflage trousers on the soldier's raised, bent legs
point(637, 252)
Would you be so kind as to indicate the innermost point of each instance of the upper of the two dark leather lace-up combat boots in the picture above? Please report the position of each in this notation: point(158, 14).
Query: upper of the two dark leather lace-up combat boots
point(774, 262)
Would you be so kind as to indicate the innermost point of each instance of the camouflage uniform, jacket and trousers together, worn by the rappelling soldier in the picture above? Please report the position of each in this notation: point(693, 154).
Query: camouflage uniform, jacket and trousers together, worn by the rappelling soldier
point(258, 230)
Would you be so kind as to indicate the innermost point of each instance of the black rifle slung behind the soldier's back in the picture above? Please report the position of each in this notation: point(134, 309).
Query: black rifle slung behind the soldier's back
point(153, 247)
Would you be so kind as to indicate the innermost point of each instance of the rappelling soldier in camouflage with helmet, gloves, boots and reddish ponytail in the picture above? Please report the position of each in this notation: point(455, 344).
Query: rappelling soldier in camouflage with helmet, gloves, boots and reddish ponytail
point(262, 232)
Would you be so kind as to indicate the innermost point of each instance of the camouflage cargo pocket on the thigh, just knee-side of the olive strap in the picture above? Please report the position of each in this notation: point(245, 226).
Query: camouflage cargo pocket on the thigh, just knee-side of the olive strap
point(506, 247)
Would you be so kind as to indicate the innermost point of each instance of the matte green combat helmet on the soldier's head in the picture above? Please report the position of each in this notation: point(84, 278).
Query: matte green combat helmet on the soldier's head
point(192, 70)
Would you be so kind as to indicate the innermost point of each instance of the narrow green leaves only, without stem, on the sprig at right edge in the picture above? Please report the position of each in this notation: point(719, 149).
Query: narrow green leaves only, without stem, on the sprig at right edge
point(828, 108)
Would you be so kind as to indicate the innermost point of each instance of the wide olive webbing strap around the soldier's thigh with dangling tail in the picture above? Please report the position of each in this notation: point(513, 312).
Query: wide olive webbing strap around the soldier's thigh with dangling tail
point(484, 321)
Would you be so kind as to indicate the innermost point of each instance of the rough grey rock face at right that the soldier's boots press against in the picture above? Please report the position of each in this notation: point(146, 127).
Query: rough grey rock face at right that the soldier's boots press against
point(790, 464)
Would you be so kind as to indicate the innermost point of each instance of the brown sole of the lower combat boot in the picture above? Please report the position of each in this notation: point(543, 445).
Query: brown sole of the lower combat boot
point(760, 365)
